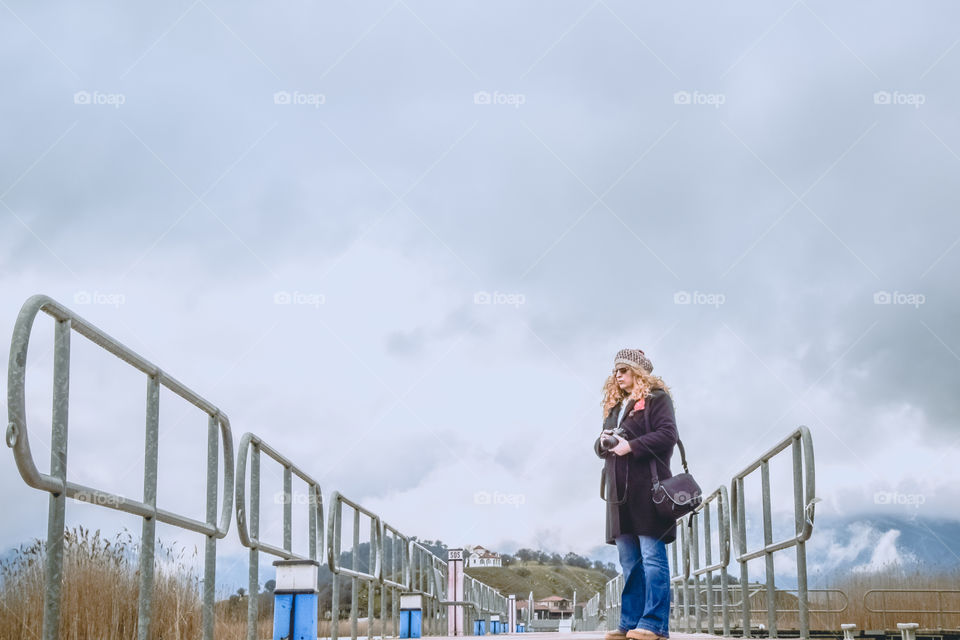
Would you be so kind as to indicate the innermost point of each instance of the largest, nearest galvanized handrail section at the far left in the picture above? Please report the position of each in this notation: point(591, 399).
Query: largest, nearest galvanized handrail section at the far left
point(59, 487)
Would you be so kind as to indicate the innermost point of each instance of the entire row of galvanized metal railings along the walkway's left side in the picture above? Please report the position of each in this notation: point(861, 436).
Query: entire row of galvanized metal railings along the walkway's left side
point(412, 566)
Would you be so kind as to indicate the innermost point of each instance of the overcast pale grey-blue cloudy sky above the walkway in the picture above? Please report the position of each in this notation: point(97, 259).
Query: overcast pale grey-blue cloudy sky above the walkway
point(401, 241)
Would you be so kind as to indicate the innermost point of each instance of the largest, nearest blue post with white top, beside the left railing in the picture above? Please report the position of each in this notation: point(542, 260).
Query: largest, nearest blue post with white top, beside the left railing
point(295, 600)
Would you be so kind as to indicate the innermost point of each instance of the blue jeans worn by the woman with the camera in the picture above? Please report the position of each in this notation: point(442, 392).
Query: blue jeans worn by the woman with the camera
point(645, 602)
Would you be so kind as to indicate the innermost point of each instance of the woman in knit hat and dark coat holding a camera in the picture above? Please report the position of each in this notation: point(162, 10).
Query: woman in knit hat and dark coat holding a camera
point(632, 400)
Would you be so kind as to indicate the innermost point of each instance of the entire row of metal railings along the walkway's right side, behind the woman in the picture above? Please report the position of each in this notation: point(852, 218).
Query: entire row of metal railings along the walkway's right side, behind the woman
point(686, 572)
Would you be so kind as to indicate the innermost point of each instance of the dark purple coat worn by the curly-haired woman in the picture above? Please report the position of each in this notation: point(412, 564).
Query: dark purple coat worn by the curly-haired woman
point(638, 514)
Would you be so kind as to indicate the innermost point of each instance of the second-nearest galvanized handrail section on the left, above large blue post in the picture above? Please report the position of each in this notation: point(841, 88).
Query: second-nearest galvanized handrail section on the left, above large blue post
point(249, 533)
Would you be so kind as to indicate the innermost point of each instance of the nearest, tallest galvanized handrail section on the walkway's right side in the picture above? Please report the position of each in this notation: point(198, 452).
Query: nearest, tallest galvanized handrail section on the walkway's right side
point(804, 494)
